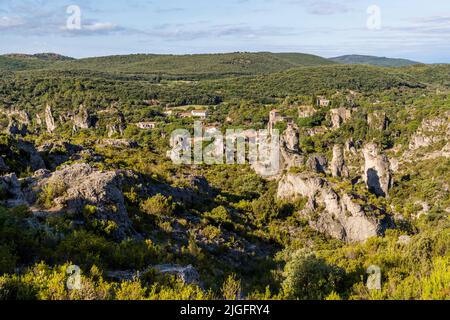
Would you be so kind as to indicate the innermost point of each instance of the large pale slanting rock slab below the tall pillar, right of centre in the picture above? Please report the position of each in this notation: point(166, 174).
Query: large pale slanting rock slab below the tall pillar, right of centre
point(336, 215)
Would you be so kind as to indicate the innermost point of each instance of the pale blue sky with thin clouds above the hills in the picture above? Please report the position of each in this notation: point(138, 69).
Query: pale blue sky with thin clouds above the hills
point(413, 29)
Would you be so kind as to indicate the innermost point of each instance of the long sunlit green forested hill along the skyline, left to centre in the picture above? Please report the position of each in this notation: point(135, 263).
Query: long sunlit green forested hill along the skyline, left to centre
point(188, 67)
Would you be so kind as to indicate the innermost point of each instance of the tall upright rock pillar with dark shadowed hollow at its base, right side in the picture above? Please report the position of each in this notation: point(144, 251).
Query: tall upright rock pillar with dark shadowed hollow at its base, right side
point(377, 172)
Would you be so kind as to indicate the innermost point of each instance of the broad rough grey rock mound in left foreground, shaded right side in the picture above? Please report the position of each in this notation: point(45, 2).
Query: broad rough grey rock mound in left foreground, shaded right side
point(74, 187)
